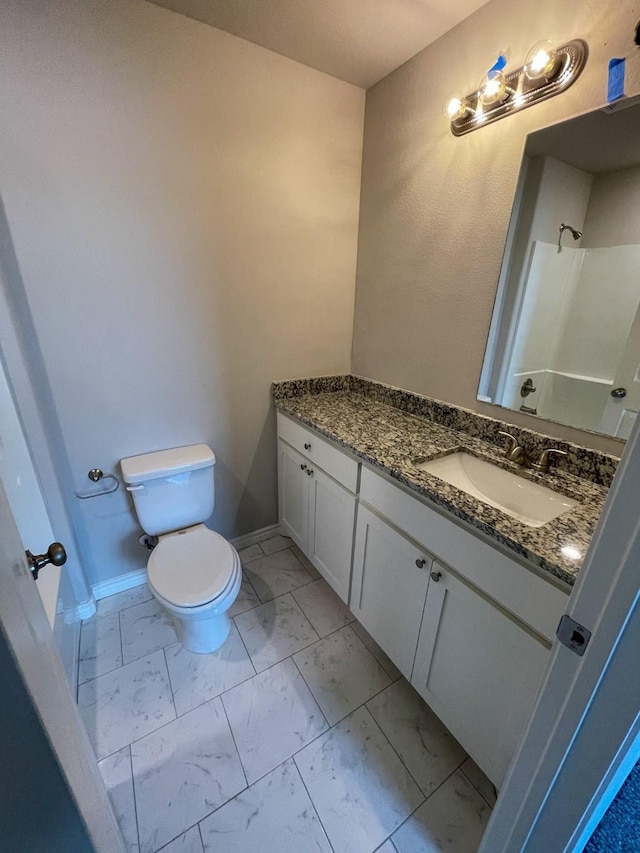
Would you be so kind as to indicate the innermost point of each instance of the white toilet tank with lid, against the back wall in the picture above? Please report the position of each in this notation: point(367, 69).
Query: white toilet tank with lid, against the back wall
point(171, 489)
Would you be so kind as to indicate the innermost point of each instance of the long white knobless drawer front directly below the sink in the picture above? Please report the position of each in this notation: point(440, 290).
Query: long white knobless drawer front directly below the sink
point(533, 600)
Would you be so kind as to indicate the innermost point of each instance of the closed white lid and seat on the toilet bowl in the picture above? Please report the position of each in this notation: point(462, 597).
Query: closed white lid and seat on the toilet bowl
point(192, 567)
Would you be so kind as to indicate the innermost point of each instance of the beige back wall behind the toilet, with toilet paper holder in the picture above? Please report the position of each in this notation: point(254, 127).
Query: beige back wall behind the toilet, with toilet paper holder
point(183, 207)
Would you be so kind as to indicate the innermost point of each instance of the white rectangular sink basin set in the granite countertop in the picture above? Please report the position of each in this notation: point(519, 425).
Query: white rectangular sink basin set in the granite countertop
point(528, 502)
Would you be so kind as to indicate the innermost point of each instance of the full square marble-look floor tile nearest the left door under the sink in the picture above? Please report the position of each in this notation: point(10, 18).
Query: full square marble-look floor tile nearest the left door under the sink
point(341, 673)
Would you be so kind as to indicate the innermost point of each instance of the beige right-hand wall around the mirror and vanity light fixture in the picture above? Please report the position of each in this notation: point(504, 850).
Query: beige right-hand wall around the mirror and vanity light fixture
point(435, 209)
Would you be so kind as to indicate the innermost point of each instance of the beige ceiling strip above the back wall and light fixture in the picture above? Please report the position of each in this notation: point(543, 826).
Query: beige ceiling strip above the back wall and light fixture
point(359, 41)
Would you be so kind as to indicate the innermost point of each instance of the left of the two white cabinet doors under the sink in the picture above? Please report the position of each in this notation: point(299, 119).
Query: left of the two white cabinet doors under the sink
point(390, 578)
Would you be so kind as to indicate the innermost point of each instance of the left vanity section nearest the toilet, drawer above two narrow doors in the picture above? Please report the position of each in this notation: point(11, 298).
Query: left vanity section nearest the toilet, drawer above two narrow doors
point(317, 501)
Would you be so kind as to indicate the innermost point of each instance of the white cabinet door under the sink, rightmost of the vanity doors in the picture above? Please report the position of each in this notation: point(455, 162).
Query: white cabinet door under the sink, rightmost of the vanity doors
point(478, 669)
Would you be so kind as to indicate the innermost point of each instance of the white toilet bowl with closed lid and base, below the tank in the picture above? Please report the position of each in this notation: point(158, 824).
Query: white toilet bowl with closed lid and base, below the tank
point(195, 575)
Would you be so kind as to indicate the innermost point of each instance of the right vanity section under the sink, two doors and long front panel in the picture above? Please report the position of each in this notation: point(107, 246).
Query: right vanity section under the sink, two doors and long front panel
point(474, 639)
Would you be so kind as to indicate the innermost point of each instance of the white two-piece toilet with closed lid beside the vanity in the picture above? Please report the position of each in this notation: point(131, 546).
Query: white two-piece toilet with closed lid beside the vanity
point(194, 573)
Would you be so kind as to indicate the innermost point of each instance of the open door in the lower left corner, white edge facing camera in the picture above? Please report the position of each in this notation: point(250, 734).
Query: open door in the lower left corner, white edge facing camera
point(69, 784)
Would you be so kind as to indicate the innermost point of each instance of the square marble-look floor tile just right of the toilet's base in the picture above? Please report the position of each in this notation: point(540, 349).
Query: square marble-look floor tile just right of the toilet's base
point(274, 631)
